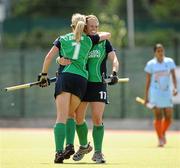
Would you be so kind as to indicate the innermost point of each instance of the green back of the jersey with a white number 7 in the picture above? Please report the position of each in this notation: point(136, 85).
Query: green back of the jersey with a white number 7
point(76, 52)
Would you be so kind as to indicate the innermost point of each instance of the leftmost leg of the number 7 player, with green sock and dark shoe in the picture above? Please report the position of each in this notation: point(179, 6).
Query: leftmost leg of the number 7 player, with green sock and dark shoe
point(62, 106)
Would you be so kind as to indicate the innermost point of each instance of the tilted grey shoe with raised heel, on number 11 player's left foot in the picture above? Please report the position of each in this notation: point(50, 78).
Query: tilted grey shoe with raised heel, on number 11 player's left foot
point(81, 152)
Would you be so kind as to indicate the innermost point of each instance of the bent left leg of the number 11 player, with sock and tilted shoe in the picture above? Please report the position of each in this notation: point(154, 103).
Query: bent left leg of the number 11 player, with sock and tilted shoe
point(82, 132)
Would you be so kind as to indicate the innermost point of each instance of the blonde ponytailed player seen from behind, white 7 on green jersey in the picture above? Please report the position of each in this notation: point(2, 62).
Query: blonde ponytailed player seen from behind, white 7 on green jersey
point(71, 84)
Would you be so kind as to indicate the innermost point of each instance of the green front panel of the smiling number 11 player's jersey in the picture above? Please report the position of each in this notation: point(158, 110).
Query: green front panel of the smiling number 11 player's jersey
point(95, 58)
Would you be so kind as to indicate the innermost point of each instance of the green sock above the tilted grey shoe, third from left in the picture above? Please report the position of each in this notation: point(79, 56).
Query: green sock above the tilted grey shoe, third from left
point(82, 132)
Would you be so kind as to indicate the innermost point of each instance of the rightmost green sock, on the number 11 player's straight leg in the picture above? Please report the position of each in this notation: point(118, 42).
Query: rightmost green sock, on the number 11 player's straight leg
point(98, 134)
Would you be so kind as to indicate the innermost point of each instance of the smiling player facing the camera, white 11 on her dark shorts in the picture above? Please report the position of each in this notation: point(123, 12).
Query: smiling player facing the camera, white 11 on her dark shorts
point(96, 94)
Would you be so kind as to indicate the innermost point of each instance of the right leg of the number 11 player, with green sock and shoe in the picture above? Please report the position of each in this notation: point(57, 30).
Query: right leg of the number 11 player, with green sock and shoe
point(98, 130)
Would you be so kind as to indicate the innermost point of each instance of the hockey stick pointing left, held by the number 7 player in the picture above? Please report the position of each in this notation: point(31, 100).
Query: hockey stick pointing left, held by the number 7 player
point(27, 85)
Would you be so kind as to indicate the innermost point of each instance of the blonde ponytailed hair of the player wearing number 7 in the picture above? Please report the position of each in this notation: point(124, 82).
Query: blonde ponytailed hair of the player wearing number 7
point(78, 23)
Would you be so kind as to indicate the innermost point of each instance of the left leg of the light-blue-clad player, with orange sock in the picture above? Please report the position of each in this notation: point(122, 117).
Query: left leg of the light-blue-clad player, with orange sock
point(158, 117)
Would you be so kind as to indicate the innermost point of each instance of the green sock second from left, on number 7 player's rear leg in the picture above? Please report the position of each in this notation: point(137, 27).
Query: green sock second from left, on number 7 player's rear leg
point(70, 131)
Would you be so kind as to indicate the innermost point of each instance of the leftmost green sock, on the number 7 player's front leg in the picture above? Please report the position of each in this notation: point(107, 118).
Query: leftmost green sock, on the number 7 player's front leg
point(59, 134)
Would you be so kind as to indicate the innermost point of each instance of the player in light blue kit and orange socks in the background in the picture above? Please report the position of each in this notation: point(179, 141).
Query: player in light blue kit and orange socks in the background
point(158, 90)
